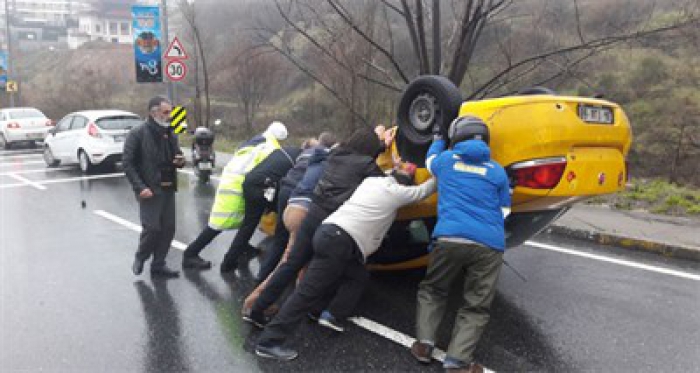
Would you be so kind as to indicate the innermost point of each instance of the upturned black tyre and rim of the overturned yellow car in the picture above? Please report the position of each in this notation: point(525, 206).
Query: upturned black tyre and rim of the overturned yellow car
point(428, 102)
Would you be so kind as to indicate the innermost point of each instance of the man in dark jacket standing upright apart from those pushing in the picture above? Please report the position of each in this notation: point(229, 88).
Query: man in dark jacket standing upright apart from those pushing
point(151, 158)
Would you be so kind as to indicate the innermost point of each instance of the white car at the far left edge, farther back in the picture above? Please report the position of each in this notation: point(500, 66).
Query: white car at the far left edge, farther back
point(24, 124)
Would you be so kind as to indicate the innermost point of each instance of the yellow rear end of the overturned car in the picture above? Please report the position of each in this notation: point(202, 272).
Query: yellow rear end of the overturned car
point(528, 129)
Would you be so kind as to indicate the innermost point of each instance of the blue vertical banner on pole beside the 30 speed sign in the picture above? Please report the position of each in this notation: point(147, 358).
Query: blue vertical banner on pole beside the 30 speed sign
point(147, 44)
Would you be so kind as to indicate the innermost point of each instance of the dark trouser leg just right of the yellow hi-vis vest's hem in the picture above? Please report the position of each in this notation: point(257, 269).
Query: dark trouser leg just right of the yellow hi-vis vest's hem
point(255, 205)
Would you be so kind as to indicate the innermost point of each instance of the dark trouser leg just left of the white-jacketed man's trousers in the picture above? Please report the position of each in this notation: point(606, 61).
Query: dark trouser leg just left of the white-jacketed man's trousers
point(300, 255)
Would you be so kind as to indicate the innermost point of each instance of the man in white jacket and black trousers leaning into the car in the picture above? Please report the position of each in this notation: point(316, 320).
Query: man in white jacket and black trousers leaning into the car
point(341, 245)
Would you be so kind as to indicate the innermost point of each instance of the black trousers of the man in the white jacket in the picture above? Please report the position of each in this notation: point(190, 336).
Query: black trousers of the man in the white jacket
point(336, 260)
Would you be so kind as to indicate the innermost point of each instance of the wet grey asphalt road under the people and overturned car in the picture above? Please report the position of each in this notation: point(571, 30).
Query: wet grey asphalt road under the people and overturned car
point(69, 302)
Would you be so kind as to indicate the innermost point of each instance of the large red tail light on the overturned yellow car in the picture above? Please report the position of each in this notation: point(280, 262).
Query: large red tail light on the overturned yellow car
point(539, 174)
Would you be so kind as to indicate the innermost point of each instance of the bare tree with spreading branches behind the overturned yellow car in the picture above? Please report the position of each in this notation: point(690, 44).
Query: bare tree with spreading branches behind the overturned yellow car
point(470, 26)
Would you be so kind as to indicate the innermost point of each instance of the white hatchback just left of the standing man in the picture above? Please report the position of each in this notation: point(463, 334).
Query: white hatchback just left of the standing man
point(89, 138)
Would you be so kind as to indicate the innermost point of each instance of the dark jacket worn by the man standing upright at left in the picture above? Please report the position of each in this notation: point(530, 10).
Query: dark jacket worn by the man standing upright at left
point(147, 147)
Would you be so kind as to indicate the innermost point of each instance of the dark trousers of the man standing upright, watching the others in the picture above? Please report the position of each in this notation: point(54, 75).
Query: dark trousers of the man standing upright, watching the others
point(158, 221)
